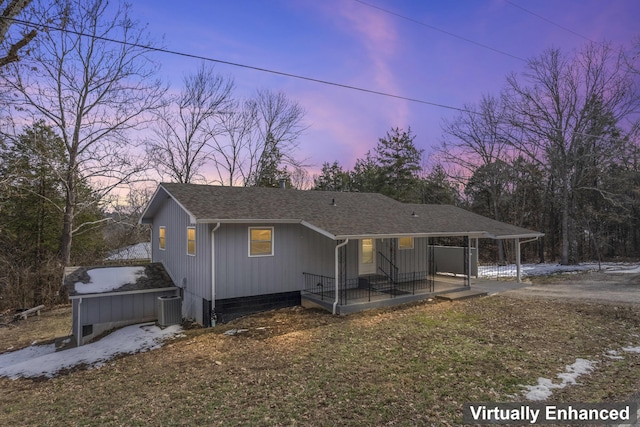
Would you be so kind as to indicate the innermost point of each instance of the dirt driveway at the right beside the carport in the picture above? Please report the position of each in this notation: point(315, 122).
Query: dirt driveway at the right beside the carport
point(611, 288)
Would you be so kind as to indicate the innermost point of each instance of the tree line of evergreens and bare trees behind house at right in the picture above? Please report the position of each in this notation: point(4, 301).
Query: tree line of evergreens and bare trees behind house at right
point(556, 151)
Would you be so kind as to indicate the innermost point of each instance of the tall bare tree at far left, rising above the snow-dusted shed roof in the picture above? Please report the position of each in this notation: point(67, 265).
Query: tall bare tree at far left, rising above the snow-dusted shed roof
point(91, 91)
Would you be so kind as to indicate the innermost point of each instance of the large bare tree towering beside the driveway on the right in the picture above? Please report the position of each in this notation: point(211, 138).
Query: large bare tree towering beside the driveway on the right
point(568, 109)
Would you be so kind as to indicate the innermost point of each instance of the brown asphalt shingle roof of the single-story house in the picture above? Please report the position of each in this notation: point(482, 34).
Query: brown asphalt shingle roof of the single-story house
point(338, 214)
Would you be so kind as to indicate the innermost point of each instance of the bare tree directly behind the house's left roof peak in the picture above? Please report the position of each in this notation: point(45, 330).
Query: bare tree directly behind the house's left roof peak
point(188, 124)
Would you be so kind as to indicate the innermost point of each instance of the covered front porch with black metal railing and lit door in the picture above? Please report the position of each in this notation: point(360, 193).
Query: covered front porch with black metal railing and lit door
point(381, 272)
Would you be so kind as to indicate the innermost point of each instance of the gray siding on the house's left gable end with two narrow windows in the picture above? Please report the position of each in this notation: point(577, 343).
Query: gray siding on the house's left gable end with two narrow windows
point(191, 273)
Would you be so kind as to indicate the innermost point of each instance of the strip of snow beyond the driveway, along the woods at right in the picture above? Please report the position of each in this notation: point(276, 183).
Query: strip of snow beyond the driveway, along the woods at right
point(547, 269)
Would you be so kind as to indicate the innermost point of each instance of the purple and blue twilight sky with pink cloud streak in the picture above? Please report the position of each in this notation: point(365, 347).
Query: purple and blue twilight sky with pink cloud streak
point(347, 42)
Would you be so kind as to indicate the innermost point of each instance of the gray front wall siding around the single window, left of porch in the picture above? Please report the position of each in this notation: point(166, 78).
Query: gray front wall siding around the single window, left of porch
point(297, 250)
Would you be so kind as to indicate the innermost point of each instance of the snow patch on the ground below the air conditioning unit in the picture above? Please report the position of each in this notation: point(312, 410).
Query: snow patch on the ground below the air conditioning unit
point(43, 360)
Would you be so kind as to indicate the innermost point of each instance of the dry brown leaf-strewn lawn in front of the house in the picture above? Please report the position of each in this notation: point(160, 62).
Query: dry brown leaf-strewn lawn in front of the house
point(412, 365)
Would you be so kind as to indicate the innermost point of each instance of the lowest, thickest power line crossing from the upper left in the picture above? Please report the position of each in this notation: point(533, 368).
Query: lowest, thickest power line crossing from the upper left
point(239, 65)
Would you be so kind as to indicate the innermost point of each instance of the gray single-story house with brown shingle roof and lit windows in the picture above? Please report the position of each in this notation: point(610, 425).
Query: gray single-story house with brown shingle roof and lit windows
point(234, 250)
